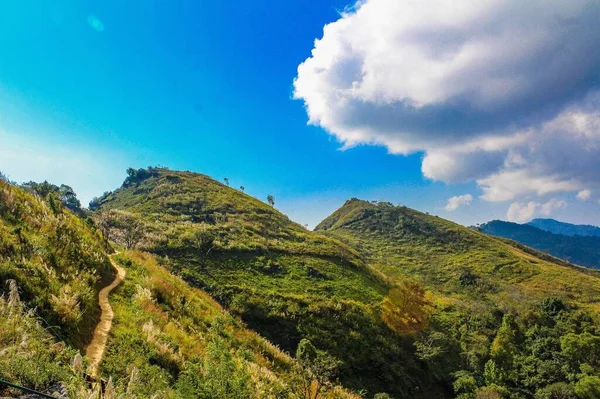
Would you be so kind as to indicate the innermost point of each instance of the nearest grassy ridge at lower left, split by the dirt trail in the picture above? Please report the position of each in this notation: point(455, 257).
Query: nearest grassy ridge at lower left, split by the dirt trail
point(167, 339)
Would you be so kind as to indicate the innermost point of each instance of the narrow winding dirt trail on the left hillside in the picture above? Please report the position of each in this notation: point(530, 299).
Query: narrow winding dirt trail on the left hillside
point(95, 349)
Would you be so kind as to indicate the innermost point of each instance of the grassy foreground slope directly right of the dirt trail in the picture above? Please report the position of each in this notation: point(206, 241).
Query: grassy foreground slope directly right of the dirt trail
point(178, 342)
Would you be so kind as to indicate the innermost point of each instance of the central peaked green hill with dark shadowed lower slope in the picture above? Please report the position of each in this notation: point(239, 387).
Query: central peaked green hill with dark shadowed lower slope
point(285, 282)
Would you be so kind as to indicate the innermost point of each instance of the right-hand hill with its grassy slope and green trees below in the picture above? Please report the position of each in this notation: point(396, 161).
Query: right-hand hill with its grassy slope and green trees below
point(501, 315)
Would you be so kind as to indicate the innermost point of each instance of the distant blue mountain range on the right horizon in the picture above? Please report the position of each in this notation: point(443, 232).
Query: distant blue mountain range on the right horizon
point(579, 244)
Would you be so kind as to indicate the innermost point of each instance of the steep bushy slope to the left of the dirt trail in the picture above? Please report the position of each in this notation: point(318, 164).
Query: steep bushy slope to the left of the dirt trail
point(52, 265)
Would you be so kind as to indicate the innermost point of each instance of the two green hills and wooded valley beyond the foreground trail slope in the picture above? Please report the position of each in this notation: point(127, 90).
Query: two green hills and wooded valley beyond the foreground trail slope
point(489, 309)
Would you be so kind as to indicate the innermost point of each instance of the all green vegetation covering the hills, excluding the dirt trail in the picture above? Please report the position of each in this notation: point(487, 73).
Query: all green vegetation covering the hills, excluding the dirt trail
point(388, 301)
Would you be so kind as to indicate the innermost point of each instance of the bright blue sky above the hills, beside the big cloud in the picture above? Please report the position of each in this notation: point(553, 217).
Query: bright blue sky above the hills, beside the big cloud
point(88, 89)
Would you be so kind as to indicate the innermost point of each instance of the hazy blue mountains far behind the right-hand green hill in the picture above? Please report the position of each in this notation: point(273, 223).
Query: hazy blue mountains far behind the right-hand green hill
point(581, 250)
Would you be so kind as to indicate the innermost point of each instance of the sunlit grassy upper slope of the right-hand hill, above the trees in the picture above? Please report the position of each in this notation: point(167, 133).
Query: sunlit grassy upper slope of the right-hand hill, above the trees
point(400, 243)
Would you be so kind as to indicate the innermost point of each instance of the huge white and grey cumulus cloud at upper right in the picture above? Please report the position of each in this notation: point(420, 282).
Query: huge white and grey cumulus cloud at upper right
point(503, 93)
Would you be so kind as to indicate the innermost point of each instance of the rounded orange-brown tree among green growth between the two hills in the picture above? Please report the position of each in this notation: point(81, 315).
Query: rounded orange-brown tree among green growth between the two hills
point(406, 309)
